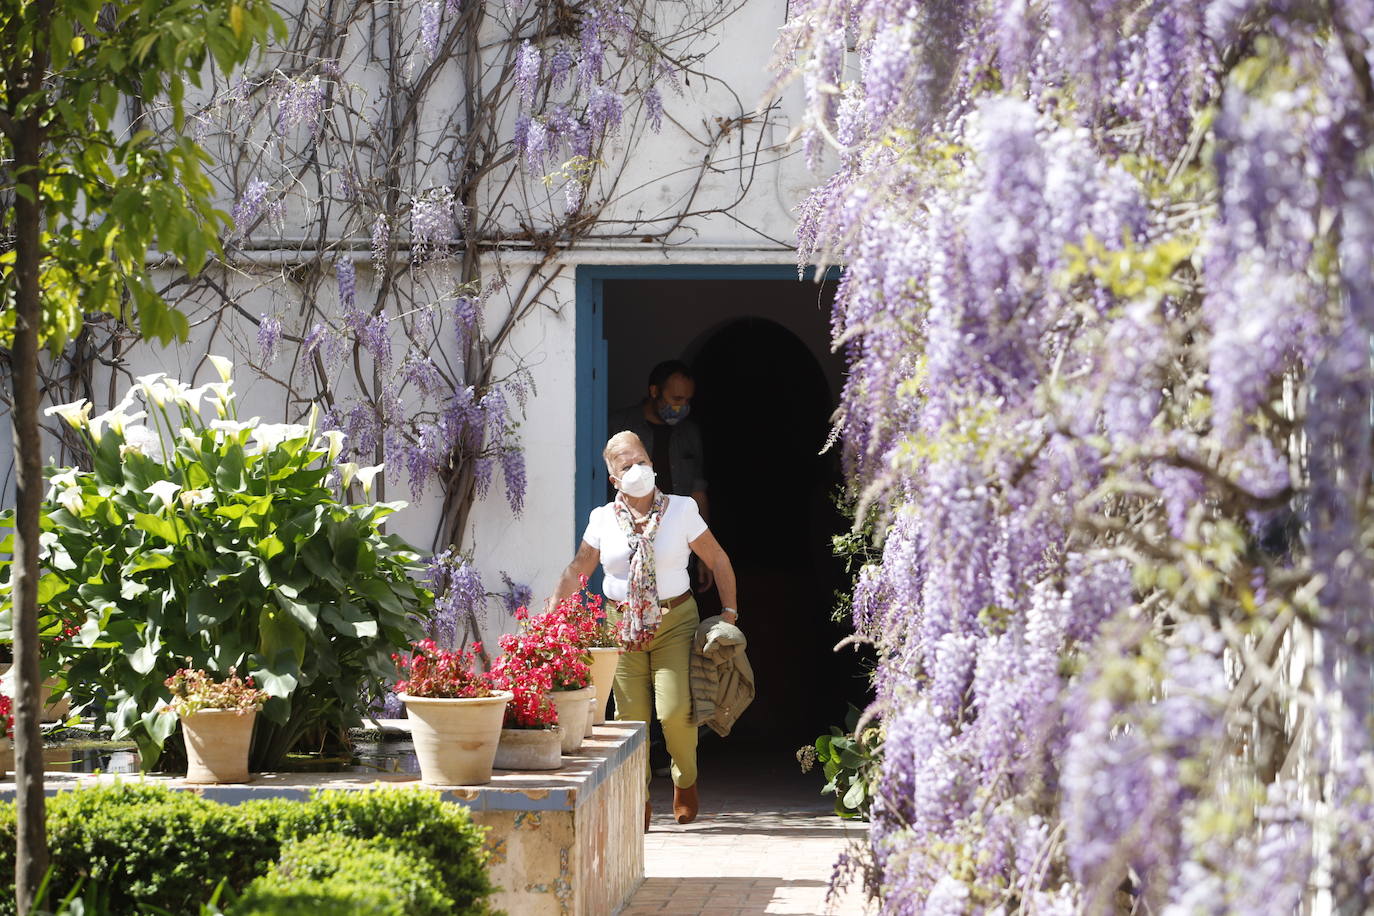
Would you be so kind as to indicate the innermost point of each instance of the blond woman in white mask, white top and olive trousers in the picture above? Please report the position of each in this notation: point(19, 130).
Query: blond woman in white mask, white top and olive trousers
point(642, 540)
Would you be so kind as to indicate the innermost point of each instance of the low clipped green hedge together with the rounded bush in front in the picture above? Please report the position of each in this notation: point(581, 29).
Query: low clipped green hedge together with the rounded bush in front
point(145, 847)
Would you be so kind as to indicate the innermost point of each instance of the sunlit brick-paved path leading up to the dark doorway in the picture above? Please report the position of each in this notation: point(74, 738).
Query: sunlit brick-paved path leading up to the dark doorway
point(766, 843)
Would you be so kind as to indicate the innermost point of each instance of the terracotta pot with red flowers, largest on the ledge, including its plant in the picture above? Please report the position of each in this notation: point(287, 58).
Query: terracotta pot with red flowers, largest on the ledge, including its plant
point(455, 713)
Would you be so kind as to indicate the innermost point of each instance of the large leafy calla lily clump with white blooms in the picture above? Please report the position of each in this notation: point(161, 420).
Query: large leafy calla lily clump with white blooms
point(219, 545)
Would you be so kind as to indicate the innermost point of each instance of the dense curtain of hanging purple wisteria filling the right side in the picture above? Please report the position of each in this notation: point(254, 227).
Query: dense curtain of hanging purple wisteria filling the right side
point(1108, 300)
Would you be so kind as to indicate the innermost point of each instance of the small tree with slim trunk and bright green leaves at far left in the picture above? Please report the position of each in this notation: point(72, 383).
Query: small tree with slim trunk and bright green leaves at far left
point(91, 193)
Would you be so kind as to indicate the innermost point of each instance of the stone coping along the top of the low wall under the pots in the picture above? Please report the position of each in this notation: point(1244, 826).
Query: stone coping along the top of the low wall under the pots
point(561, 790)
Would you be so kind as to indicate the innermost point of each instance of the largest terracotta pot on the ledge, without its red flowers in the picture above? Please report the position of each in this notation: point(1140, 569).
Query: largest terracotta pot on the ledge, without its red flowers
point(455, 738)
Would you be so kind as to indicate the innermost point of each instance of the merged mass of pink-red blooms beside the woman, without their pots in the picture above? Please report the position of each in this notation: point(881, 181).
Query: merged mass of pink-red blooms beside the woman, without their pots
point(548, 654)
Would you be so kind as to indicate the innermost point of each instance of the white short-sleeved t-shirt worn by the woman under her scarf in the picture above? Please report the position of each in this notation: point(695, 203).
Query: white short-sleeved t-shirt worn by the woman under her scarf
point(682, 525)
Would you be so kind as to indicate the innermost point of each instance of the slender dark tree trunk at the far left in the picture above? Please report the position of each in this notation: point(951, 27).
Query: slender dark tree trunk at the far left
point(32, 848)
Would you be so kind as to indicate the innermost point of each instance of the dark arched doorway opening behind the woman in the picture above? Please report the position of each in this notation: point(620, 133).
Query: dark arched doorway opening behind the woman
point(766, 392)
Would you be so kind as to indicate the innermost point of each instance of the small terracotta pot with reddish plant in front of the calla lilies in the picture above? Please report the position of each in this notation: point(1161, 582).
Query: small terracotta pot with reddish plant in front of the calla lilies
point(216, 723)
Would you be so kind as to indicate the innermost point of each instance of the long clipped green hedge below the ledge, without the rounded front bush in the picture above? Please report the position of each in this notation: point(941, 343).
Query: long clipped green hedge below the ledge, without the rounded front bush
point(149, 847)
